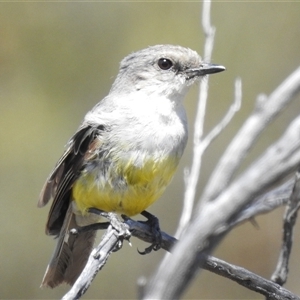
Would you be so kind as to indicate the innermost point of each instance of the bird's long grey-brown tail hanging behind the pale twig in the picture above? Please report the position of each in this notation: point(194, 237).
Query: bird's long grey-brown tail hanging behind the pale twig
point(70, 255)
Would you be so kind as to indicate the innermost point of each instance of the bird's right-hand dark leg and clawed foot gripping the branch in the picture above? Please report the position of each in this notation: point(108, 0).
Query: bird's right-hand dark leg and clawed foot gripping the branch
point(153, 223)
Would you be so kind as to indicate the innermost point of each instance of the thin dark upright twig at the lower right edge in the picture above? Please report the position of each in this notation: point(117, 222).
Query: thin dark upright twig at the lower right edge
point(281, 272)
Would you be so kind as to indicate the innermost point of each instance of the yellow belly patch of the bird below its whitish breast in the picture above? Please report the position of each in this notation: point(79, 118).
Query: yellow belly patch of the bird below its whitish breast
point(138, 189)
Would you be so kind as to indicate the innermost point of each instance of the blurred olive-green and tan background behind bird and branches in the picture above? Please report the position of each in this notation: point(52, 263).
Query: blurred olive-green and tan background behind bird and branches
point(59, 59)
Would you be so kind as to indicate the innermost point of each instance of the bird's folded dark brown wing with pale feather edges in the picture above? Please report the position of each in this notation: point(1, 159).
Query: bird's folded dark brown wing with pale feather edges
point(59, 183)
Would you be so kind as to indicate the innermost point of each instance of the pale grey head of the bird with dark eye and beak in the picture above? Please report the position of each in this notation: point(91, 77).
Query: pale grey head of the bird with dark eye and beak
point(162, 69)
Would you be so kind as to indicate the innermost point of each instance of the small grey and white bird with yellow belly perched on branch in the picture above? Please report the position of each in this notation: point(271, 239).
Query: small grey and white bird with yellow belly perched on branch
point(123, 155)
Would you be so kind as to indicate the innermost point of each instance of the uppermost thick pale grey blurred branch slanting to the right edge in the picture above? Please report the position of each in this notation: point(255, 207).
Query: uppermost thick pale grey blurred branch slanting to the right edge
point(267, 108)
